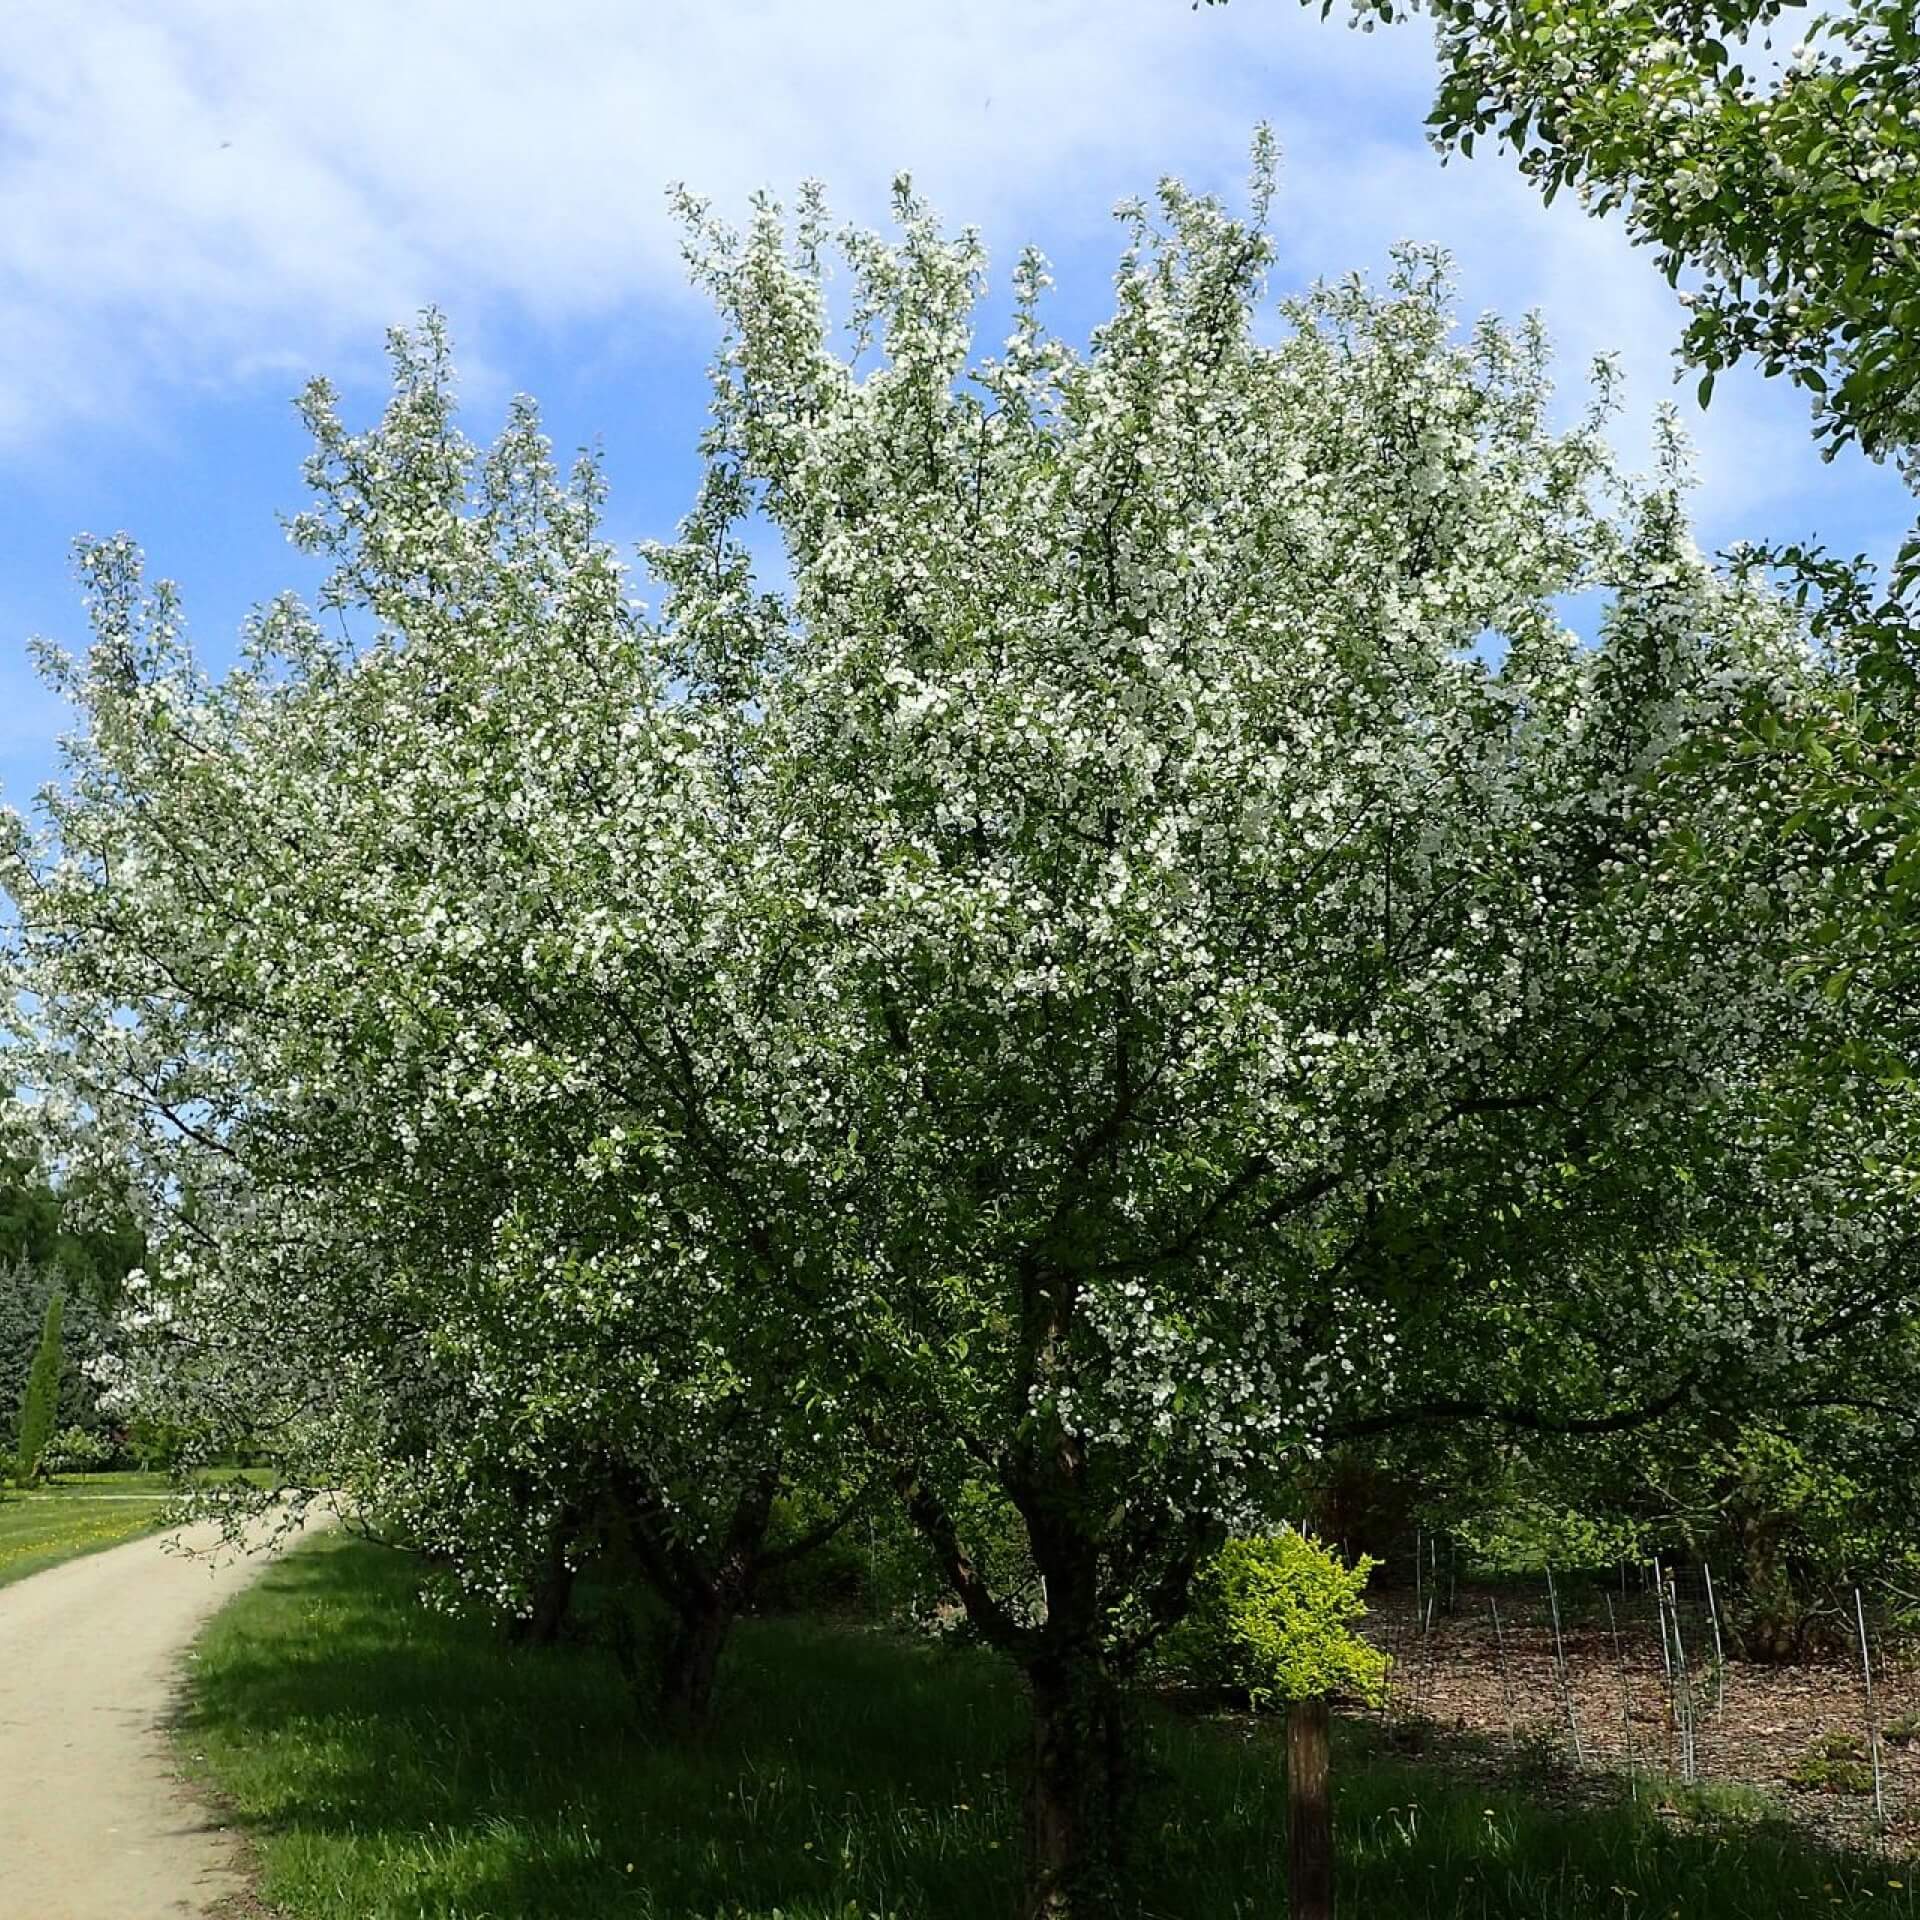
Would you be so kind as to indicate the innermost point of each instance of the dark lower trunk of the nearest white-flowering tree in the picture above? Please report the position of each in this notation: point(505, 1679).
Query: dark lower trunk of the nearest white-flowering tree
point(1076, 1790)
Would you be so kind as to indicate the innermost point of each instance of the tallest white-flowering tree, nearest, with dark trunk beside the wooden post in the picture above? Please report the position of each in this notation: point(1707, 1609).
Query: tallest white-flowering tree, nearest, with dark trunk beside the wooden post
point(1251, 1015)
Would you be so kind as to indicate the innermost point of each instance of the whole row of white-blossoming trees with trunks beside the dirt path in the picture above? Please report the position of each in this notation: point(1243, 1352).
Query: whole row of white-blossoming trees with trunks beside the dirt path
point(1136, 948)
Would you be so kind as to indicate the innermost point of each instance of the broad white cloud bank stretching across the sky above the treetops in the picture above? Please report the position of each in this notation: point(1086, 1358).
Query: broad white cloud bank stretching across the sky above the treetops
point(216, 191)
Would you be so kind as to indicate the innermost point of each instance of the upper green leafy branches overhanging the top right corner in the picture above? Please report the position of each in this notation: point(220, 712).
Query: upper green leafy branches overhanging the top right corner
point(1785, 187)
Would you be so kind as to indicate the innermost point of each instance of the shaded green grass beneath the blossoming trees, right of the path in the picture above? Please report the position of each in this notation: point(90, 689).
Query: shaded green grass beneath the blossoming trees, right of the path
point(400, 1765)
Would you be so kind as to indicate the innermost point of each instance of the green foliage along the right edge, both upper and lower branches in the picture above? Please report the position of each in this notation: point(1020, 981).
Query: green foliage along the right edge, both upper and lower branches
point(1783, 185)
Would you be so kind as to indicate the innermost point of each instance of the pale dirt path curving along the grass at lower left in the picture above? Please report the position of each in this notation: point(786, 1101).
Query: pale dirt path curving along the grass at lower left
point(93, 1821)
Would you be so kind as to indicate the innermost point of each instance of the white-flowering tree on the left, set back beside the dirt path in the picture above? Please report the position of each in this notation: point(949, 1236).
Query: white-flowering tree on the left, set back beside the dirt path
point(302, 959)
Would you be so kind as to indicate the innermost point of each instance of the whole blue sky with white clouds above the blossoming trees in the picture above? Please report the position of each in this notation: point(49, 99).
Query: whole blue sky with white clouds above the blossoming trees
point(212, 201)
